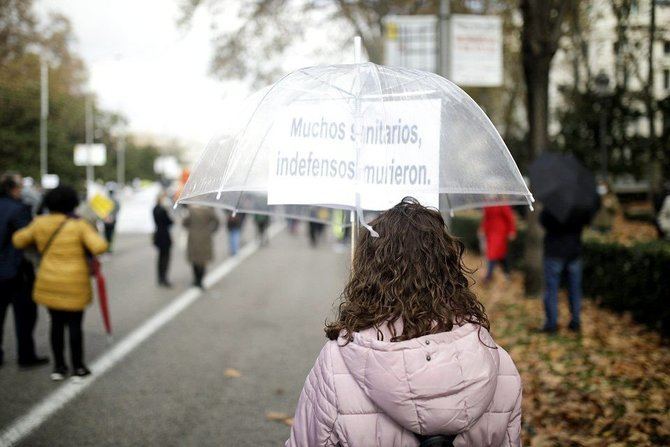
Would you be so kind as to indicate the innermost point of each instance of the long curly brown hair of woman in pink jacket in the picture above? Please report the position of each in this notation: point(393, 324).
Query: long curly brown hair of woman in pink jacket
point(413, 272)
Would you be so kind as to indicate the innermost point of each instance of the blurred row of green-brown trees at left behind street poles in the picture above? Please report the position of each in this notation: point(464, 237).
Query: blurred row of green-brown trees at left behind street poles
point(23, 42)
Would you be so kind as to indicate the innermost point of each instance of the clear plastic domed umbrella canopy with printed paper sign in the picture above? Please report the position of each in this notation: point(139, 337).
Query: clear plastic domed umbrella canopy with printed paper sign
point(358, 137)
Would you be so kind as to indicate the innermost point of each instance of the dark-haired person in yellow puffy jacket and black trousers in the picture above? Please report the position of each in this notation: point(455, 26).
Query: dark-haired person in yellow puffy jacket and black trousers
point(63, 283)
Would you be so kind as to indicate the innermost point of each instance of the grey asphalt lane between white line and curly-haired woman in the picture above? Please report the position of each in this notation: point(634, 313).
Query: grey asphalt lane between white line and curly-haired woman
point(215, 374)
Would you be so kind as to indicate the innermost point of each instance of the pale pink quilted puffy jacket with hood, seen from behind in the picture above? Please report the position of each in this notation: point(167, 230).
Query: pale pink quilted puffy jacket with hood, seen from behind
point(379, 393)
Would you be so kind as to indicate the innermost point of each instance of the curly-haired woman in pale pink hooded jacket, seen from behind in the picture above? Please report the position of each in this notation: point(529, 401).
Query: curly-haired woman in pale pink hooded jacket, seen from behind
point(410, 356)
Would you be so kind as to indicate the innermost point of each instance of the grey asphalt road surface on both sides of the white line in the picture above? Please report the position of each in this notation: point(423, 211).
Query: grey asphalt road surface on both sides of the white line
point(264, 319)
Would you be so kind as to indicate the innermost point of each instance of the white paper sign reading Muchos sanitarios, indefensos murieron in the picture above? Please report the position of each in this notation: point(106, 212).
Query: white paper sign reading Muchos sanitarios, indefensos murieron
point(323, 156)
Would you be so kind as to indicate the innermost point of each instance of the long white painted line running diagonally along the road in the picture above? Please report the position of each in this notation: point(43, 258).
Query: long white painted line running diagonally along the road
point(53, 402)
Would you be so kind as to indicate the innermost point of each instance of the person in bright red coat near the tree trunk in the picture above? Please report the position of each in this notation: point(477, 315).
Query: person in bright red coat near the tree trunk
point(498, 227)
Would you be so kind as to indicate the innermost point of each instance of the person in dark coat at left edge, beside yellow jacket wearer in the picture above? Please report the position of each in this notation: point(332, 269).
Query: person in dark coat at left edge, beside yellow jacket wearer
point(17, 275)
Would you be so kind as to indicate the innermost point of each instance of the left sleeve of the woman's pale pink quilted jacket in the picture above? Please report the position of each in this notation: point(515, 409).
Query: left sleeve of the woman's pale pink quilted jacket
point(315, 415)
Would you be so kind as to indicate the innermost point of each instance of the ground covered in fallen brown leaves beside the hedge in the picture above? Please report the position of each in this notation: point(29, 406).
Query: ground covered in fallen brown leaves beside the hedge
point(608, 386)
